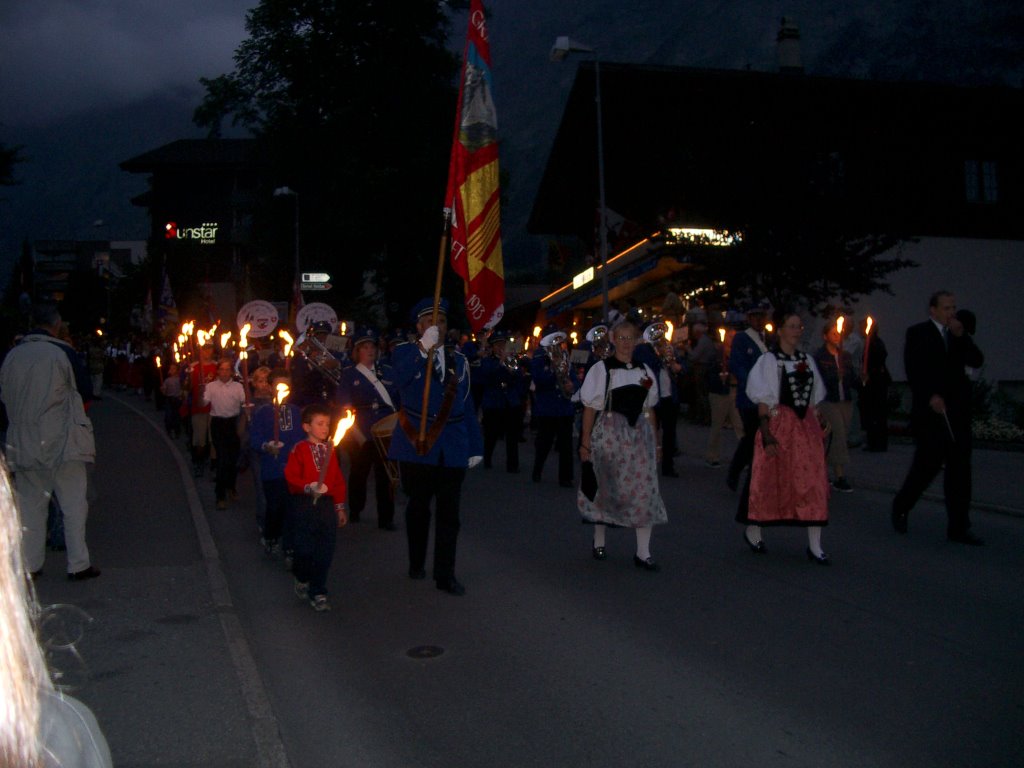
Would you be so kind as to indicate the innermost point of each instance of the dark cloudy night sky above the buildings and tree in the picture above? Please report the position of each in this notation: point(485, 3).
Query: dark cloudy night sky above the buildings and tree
point(86, 84)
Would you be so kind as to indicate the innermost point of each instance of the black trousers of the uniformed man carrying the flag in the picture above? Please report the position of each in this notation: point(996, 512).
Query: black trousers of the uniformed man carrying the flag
point(423, 483)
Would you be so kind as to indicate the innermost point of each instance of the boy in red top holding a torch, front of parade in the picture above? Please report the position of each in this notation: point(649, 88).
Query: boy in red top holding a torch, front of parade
point(318, 508)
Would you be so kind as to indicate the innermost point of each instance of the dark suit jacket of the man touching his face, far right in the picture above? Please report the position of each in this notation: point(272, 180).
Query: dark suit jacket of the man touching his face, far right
point(935, 368)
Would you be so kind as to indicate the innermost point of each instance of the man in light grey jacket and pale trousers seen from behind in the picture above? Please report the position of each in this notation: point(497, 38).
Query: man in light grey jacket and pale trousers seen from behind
point(50, 441)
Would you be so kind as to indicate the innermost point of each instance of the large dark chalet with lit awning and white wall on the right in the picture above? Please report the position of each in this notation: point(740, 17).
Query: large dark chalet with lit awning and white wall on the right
point(696, 158)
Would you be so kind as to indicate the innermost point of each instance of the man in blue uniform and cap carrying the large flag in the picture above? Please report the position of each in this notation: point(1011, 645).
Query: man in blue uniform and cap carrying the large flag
point(435, 467)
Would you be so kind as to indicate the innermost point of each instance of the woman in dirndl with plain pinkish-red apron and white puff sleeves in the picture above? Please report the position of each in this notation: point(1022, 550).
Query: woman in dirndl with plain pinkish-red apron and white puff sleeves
point(789, 482)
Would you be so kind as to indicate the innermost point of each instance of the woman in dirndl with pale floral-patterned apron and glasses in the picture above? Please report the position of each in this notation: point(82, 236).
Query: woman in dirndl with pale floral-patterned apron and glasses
point(619, 438)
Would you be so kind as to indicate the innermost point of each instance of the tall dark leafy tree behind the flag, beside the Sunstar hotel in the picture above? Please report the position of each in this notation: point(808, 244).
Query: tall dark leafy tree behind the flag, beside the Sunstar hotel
point(354, 105)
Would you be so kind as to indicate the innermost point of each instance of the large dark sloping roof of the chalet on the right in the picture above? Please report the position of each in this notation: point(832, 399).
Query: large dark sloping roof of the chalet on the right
point(732, 149)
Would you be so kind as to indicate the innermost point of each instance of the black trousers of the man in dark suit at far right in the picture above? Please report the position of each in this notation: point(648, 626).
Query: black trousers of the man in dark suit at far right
point(933, 449)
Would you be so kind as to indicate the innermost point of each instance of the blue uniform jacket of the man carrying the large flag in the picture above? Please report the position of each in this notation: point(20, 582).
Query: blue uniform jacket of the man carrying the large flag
point(461, 437)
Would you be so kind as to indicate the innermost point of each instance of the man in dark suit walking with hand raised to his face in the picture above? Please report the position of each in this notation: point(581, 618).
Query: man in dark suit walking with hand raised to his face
point(935, 355)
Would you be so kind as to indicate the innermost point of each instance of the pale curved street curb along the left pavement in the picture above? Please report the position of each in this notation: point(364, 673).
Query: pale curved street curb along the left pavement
point(267, 736)
